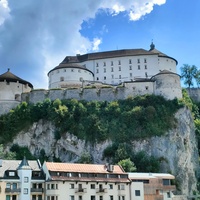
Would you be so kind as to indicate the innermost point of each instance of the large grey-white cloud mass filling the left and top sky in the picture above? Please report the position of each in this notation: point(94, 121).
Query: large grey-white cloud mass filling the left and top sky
point(35, 36)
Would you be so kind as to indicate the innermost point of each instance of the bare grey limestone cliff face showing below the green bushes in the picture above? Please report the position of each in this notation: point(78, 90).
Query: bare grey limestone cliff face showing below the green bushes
point(177, 149)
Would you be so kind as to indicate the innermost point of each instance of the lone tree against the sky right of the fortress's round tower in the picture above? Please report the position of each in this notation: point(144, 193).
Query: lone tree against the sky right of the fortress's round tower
point(189, 74)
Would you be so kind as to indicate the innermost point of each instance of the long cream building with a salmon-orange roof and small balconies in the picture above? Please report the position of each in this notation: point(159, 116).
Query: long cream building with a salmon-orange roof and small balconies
point(85, 182)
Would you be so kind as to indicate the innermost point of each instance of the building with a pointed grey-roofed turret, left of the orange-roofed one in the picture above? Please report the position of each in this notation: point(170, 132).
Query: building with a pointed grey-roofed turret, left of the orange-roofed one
point(21, 180)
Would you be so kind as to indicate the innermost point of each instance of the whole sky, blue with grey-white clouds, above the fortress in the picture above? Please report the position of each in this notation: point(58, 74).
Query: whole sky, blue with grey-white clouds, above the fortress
point(35, 35)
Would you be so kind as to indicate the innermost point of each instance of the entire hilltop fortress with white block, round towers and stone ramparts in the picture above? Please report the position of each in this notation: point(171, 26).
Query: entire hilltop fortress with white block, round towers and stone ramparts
point(99, 76)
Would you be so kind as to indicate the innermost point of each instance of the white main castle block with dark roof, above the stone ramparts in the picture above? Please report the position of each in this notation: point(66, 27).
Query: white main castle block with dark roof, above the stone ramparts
point(111, 67)
